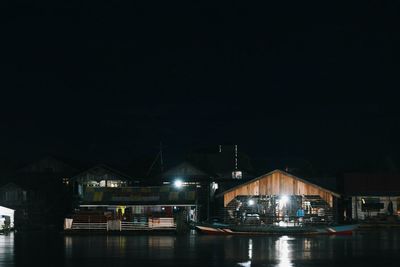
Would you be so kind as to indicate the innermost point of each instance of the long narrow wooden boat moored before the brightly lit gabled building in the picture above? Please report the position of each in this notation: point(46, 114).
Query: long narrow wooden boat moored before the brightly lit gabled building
point(243, 230)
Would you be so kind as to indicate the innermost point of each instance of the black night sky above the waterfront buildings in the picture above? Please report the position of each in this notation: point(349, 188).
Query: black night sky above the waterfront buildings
point(110, 79)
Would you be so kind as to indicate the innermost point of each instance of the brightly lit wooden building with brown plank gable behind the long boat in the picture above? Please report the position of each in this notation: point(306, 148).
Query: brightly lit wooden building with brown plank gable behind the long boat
point(277, 197)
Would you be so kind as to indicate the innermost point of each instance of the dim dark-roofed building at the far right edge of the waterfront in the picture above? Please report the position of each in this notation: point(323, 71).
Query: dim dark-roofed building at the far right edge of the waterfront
point(369, 196)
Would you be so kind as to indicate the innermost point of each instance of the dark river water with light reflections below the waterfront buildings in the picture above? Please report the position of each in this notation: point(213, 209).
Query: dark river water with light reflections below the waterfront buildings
point(378, 248)
